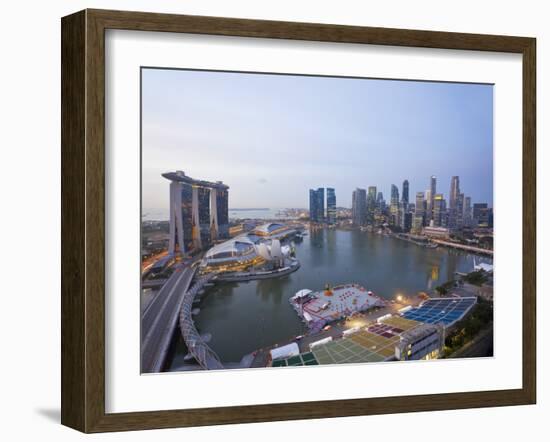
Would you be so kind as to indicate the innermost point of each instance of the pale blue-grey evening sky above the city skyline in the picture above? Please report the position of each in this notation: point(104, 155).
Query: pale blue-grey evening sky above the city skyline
point(273, 137)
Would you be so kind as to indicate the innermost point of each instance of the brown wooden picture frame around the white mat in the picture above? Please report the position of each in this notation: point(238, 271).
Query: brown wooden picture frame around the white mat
point(83, 219)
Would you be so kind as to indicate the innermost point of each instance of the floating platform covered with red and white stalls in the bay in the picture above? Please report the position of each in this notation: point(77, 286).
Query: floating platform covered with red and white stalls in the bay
point(319, 308)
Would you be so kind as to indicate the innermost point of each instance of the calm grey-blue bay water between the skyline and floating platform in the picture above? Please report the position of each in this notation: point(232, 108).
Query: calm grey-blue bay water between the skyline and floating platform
point(243, 317)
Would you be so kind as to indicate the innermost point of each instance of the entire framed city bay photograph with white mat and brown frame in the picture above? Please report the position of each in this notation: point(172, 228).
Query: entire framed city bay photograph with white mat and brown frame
point(269, 220)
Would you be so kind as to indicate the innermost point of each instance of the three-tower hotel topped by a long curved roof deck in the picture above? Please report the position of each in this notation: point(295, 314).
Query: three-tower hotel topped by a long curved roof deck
point(199, 212)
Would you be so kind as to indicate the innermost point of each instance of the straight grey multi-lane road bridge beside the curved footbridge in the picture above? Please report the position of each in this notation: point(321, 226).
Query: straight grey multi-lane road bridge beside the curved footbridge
point(160, 319)
